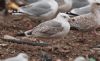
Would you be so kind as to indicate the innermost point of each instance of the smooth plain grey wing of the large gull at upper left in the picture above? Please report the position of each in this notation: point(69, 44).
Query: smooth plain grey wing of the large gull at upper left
point(37, 10)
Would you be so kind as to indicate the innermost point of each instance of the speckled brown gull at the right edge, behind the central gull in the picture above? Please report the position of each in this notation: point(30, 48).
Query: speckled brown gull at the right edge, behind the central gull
point(89, 21)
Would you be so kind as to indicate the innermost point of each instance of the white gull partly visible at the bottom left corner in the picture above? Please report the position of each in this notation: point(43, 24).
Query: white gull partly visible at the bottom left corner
point(19, 57)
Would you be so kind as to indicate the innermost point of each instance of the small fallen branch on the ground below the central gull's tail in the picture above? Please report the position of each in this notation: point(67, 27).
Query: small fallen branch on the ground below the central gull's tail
point(21, 41)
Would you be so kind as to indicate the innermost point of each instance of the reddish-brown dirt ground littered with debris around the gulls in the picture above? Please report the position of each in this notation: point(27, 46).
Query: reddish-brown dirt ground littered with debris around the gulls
point(66, 49)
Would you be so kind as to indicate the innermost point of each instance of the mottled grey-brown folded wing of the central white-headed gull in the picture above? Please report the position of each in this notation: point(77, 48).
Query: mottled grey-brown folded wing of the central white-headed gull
point(49, 28)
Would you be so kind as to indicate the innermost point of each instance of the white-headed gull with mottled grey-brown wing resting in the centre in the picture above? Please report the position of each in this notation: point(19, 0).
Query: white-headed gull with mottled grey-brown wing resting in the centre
point(56, 27)
